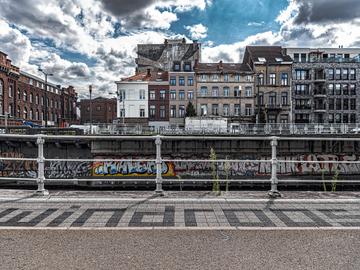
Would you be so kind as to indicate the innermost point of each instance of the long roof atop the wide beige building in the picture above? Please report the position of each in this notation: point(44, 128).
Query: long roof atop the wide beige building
point(222, 67)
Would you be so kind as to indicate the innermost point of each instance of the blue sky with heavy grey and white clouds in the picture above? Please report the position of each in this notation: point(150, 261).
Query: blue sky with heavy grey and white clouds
point(85, 42)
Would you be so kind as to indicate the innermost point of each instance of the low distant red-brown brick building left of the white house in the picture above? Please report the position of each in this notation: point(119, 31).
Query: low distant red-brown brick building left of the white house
point(103, 110)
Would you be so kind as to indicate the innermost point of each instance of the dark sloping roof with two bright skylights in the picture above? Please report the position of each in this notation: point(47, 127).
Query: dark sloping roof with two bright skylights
point(268, 54)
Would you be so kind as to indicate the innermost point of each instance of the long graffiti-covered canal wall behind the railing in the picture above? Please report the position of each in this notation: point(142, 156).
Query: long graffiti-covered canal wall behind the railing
point(67, 170)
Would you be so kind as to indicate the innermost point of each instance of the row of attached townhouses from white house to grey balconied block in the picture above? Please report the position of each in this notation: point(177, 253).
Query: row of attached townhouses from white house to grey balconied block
point(271, 85)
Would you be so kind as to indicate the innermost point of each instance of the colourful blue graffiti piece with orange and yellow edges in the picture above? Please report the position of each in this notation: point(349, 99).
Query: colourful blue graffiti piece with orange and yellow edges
point(128, 168)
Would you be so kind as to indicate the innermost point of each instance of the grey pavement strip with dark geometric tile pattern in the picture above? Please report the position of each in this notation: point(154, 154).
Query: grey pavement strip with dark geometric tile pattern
point(180, 214)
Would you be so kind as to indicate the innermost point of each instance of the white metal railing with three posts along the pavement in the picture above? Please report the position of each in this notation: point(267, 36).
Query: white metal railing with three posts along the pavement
point(41, 180)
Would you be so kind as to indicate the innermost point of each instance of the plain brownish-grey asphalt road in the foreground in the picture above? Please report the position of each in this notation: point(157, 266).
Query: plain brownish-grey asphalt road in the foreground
point(179, 249)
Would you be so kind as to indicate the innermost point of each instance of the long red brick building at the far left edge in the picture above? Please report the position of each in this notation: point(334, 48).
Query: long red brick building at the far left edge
point(22, 97)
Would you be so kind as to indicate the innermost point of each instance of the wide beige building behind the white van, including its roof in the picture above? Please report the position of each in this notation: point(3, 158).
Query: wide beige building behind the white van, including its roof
point(226, 90)
